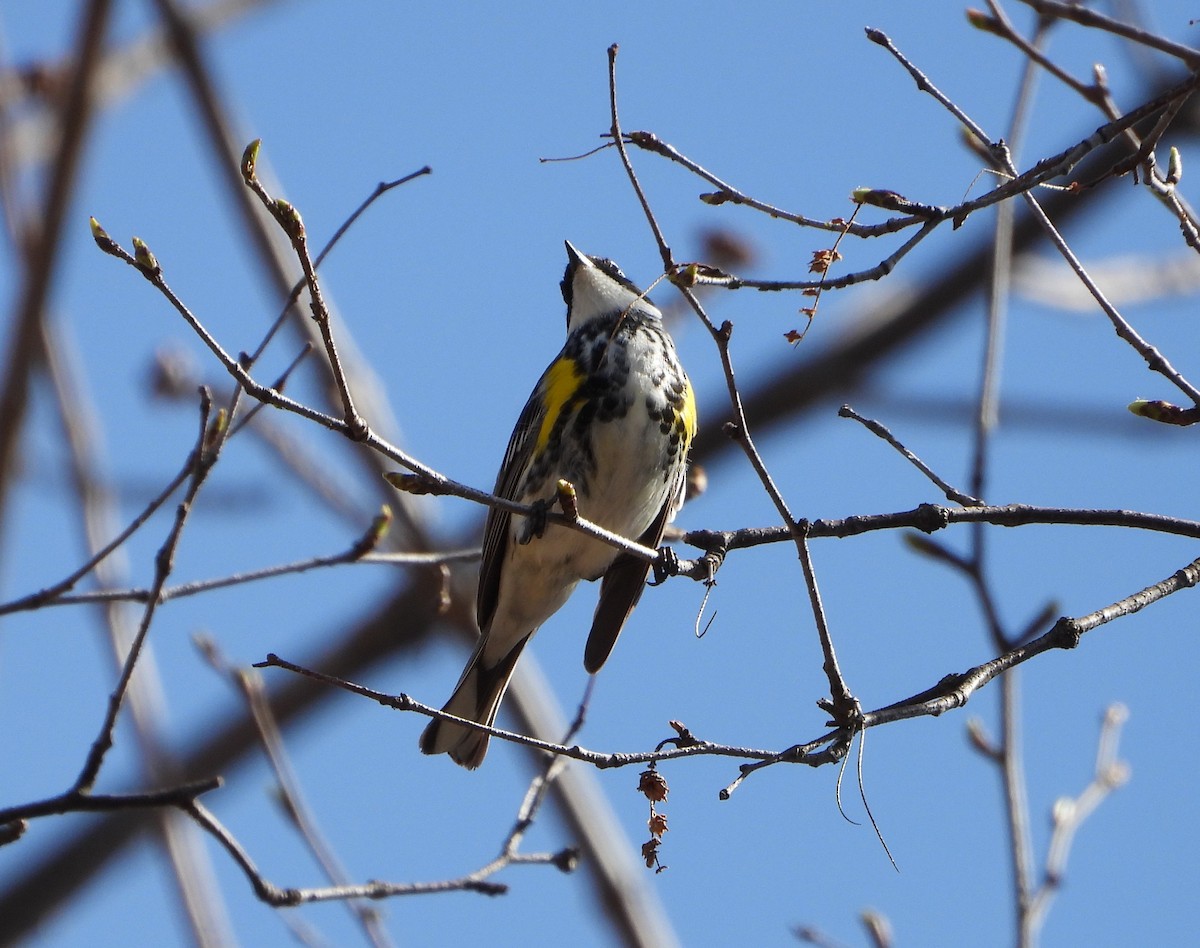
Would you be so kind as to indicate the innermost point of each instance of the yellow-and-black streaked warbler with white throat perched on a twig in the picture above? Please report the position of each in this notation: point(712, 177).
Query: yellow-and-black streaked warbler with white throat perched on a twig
point(614, 416)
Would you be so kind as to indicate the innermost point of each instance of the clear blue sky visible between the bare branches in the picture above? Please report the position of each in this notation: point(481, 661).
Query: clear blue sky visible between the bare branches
point(451, 289)
